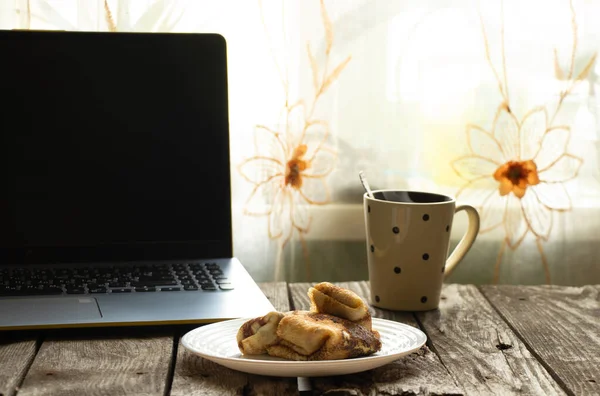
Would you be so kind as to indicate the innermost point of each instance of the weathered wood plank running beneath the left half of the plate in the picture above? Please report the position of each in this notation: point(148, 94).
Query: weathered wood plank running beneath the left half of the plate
point(197, 376)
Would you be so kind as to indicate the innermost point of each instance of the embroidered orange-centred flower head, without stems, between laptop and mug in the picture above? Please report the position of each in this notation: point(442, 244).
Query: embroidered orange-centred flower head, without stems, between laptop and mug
point(288, 172)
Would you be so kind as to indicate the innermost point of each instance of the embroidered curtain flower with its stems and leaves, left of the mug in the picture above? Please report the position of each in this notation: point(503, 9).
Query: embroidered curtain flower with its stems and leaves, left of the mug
point(294, 160)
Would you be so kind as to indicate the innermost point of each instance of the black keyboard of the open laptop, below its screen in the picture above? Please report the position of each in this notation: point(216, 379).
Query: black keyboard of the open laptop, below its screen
point(137, 278)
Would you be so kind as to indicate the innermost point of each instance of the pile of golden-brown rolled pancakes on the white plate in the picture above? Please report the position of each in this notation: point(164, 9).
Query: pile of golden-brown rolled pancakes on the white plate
point(338, 326)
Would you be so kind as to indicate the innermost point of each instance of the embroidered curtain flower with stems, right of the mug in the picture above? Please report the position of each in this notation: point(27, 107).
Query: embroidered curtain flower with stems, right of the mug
point(520, 165)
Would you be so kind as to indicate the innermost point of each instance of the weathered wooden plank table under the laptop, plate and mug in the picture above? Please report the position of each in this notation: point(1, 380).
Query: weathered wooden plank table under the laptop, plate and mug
point(533, 340)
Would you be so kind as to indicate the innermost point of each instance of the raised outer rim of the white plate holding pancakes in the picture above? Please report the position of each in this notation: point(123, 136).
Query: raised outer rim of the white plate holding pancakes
point(305, 364)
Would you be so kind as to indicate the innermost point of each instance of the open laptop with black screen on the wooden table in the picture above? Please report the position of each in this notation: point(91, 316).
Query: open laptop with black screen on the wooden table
point(115, 207)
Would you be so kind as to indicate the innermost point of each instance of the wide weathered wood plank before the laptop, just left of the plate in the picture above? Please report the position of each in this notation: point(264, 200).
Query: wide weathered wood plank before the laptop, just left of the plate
point(93, 364)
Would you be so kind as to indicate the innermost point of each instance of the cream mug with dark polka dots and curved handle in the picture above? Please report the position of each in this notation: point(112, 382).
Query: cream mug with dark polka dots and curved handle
point(408, 234)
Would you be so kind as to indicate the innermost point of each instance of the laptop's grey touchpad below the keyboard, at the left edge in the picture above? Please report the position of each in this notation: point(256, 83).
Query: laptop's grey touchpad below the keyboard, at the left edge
point(28, 311)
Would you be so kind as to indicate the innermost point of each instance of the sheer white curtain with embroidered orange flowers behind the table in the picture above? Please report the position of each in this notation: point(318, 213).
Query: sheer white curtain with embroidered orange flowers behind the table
point(492, 102)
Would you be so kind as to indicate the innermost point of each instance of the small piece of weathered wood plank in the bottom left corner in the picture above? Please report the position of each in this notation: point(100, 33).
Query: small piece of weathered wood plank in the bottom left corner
point(16, 355)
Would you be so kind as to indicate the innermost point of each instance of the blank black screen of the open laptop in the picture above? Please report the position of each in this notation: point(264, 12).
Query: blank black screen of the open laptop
point(114, 146)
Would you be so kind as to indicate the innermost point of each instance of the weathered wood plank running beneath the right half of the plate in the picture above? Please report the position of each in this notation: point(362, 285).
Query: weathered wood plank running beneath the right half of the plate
point(420, 373)
